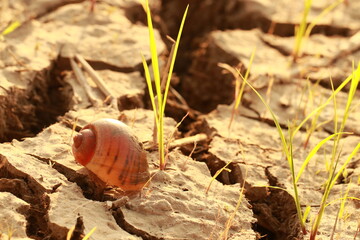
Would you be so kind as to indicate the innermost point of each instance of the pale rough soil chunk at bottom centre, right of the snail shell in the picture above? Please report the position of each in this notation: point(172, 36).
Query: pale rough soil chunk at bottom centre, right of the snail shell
point(176, 205)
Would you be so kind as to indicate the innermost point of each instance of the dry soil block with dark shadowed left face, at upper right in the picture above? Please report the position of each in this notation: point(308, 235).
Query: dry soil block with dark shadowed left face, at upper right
point(272, 63)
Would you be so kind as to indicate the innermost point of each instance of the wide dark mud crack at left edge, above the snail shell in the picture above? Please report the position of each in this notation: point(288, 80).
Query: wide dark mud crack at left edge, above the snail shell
point(27, 111)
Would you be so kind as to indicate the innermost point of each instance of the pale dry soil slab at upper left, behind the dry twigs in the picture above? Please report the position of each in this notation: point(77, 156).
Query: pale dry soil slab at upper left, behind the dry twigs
point(106, 37)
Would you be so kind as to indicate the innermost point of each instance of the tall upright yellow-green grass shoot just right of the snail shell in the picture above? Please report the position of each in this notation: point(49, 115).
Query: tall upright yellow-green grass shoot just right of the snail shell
point(159, 96)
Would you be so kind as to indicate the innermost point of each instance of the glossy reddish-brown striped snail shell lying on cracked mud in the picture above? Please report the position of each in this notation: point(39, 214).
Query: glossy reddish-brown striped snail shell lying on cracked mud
point(108, 149)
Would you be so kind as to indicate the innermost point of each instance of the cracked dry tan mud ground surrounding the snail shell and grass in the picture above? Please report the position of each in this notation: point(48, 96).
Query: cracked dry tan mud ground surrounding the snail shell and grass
point(44, 192)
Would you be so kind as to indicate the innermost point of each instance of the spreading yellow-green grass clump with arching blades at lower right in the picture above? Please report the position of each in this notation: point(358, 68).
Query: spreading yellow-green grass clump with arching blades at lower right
point(287, 147)
